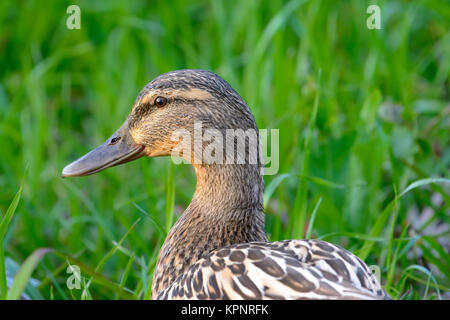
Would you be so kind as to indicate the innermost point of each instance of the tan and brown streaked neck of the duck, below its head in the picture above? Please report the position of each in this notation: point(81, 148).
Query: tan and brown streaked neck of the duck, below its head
point(227, 208)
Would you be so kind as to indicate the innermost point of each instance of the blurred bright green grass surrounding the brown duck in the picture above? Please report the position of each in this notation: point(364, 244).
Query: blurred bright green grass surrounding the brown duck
point(362, 114)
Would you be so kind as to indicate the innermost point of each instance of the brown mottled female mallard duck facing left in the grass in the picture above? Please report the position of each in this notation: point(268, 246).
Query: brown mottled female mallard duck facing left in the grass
point(218, 248)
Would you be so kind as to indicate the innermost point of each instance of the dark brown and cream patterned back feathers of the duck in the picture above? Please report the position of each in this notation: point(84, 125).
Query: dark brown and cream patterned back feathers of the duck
point(290, 269)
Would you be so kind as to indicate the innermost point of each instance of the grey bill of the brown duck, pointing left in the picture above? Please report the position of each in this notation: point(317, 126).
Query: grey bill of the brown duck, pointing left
point(118, 149)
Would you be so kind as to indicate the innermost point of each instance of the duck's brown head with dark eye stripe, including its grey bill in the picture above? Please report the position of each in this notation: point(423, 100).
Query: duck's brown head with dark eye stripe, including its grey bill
point(173, 101)
